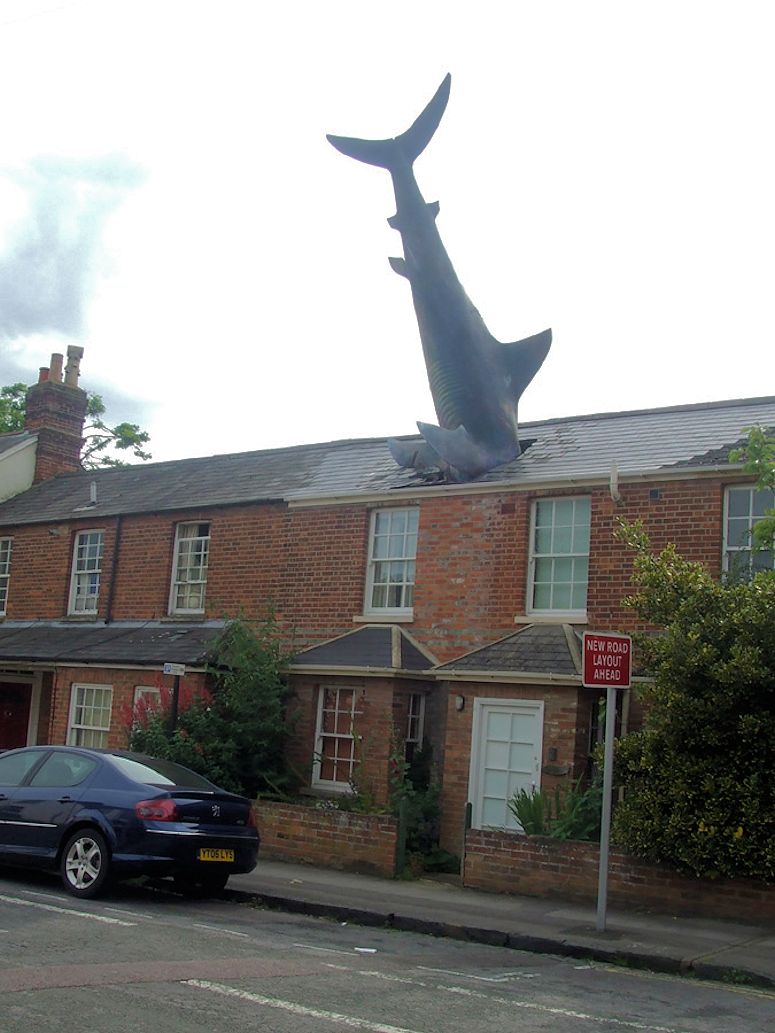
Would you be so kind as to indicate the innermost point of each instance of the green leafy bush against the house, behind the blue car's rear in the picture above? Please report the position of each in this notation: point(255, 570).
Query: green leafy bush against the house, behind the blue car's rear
point(235, 734)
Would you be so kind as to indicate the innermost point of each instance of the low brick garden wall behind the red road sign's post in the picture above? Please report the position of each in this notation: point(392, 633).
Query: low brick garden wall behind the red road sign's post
point(502, 862)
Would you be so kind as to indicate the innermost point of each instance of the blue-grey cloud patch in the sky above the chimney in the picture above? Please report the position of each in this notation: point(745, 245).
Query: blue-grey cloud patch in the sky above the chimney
point(49, 266)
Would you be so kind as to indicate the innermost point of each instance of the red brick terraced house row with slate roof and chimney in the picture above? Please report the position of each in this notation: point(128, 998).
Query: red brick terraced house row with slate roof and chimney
point(415, 608)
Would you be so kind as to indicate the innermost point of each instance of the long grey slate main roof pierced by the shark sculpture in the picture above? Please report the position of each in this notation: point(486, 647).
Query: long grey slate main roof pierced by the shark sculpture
point(577, 448)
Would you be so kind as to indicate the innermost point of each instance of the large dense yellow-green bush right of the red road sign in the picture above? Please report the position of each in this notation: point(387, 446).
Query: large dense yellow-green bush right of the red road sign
point(699, 777)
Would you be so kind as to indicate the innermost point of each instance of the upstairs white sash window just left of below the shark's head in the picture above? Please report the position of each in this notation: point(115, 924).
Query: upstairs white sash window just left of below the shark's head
point(393, 547)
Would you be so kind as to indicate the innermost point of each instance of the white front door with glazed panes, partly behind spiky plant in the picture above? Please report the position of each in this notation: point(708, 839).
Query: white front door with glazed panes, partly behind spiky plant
point(506, 758)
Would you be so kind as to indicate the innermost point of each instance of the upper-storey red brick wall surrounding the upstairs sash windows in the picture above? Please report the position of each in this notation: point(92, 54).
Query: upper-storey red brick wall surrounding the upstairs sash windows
point(311, 565)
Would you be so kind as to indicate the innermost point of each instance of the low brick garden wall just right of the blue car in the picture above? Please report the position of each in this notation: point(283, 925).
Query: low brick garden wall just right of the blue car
point(351, 842)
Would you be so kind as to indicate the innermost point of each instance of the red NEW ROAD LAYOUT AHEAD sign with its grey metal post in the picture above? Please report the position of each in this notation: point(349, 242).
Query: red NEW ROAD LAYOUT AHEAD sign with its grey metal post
point(607, 661)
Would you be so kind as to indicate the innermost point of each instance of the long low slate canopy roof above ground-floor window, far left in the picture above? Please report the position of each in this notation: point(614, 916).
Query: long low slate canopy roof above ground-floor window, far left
point(151, 643)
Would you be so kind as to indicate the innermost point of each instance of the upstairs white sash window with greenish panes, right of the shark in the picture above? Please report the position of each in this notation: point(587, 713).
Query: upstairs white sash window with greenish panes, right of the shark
point(560, 557)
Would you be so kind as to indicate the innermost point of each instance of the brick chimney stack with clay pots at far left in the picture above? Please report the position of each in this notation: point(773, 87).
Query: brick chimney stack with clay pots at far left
point(56, 413)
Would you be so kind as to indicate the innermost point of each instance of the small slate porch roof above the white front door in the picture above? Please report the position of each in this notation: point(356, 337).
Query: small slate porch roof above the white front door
point(537, 649)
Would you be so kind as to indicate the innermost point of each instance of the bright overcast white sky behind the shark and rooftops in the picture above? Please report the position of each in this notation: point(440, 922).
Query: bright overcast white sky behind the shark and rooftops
point(170, 202)
